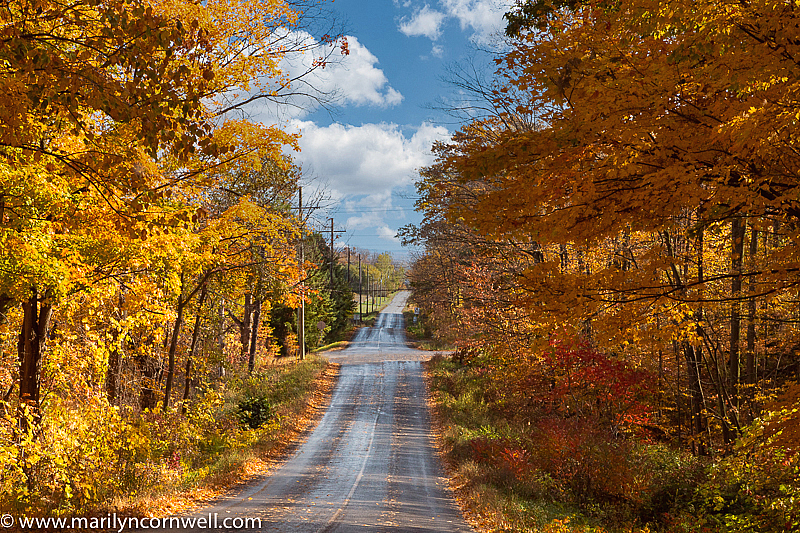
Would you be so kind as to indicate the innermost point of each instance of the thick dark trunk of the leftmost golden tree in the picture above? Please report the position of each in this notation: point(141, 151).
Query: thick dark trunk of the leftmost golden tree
point(30, 348)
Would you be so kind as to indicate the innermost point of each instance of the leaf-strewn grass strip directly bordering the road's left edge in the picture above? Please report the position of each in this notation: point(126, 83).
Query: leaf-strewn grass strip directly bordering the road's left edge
point(292, 395)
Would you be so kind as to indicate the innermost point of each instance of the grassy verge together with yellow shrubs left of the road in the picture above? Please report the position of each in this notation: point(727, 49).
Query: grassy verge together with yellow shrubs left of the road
point(159, 463)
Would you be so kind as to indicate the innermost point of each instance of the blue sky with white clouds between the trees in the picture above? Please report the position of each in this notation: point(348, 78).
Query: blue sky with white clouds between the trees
point(365, 151)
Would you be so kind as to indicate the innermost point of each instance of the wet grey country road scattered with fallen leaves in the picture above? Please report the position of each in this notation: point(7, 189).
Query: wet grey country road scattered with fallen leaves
point(370, 465)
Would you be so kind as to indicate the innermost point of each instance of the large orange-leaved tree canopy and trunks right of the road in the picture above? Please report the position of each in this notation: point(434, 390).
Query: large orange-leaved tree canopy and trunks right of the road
point(651, 207)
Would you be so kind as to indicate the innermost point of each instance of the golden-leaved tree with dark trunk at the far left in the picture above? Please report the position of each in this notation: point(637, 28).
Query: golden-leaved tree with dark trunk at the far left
point(90, 98)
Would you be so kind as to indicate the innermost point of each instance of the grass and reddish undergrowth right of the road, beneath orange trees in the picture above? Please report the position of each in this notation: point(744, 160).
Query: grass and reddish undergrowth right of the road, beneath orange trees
point(519, 468)
